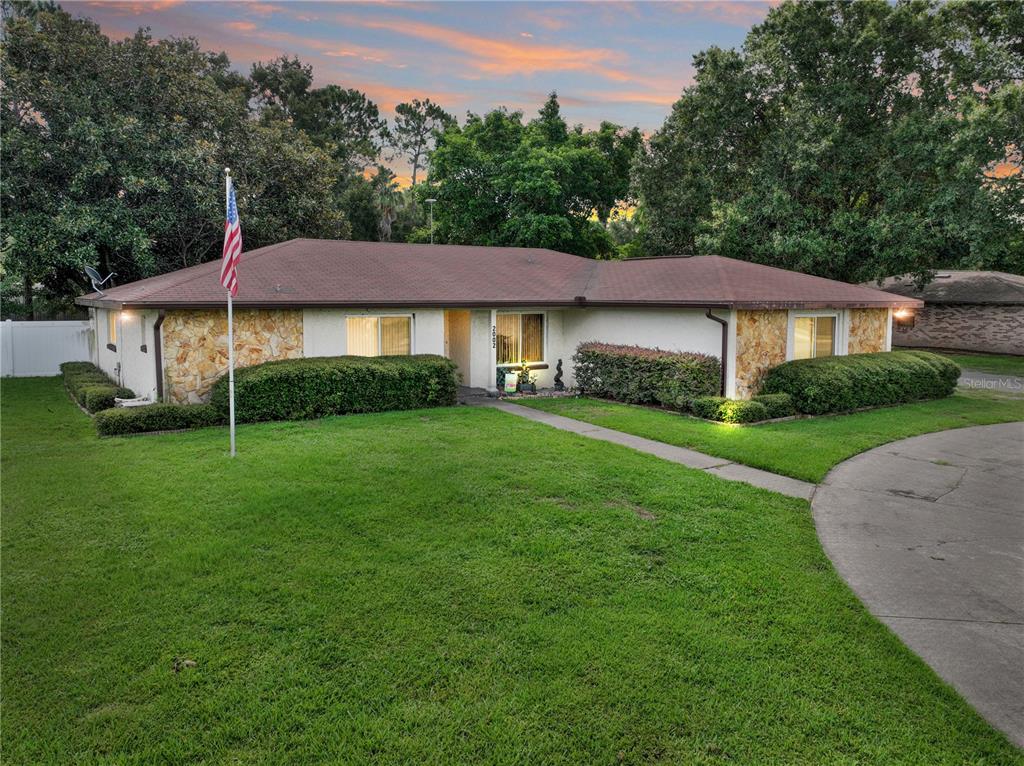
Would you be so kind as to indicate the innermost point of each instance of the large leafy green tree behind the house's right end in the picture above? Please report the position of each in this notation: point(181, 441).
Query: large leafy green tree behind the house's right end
point(849, 141)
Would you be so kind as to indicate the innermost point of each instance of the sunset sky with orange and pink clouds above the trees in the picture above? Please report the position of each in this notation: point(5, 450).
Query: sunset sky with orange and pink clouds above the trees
point(623, 62)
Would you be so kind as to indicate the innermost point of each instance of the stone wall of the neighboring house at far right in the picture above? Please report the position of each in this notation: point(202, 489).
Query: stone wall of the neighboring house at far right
point(966, 327)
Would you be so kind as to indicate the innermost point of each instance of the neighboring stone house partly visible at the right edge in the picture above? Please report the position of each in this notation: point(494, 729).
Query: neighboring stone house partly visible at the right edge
point(964, 311)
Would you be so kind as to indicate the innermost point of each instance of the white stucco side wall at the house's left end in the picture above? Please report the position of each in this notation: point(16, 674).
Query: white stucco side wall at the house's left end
point(130, 365)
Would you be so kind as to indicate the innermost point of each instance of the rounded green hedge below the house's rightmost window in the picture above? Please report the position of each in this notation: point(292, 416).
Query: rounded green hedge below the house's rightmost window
point(836, 385)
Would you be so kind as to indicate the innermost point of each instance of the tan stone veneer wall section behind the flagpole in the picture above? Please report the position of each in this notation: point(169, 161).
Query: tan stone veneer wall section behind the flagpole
point(195, 347)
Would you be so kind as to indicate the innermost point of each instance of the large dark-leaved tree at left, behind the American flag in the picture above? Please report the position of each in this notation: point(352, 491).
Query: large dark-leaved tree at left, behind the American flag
point(114, 157)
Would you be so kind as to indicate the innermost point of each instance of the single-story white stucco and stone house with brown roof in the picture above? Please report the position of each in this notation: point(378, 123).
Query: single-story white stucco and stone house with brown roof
point(484, 308)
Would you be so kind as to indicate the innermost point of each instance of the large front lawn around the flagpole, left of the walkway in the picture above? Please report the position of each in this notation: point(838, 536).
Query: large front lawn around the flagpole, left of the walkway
point(449, 586)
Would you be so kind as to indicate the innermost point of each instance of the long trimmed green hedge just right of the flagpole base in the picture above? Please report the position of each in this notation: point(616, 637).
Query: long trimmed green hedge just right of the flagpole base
point(293, 390)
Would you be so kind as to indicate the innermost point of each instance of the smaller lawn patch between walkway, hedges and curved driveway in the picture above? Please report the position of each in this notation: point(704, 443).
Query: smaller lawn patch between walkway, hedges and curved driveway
point(804, 449)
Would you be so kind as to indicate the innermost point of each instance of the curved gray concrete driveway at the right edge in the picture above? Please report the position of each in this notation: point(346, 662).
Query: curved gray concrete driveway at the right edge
point(929, 532)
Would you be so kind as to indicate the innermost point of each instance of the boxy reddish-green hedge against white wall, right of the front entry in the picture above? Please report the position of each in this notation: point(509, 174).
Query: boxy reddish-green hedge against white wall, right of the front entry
point(646, 376)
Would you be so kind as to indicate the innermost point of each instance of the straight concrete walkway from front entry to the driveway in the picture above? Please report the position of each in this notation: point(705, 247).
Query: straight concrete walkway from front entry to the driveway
point(718, 466)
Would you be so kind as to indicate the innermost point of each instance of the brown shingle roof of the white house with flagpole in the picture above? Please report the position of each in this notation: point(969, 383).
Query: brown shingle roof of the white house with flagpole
point(329, 273)
